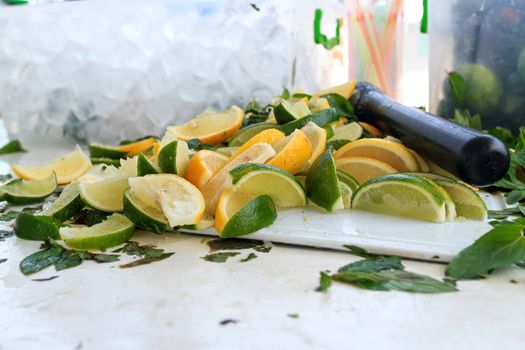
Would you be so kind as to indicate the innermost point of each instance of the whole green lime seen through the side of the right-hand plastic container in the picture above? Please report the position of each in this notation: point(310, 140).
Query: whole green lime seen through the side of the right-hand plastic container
point(483, 88)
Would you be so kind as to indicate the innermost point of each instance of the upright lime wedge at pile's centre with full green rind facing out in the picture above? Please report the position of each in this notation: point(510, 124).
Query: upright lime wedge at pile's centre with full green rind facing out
point(322, 184)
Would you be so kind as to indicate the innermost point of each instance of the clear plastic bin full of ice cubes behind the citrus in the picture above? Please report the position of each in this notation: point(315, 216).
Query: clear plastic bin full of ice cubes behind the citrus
point(99, 70)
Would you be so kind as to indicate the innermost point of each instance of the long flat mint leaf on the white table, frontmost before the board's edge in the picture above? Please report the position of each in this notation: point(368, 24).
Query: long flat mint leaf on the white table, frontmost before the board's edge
point(399, 280)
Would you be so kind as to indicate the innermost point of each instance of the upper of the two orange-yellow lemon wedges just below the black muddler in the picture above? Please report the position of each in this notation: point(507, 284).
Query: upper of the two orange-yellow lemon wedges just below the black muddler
point(389, 152)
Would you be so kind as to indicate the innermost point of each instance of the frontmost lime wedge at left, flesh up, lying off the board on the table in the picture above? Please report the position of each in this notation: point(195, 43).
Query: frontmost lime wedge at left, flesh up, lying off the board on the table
point(113, 231)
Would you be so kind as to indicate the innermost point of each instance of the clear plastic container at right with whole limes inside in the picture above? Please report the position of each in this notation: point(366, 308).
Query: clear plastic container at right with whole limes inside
point(484, 41)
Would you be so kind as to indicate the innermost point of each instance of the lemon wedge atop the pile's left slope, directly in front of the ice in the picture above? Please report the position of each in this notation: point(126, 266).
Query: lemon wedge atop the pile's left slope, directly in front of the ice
point(210, 127)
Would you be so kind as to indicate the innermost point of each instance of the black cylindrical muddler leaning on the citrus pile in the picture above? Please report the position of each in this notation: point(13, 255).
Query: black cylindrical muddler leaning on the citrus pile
point(475, 157)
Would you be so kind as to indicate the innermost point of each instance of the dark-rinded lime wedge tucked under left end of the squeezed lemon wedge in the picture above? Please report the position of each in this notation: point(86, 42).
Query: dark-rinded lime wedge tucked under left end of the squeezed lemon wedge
point(143, 215)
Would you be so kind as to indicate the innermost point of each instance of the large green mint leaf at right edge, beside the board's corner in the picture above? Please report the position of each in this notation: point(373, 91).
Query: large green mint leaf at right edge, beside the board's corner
point(502, 246)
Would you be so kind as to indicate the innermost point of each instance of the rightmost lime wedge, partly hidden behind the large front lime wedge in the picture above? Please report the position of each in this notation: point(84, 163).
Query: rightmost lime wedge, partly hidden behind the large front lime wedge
point(468, 203)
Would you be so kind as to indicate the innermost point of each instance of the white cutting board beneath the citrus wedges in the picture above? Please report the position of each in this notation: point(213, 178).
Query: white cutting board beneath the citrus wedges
point(379, 234)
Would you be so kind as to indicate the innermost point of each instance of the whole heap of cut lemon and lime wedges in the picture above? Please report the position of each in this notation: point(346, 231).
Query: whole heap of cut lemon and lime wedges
point(234, 170)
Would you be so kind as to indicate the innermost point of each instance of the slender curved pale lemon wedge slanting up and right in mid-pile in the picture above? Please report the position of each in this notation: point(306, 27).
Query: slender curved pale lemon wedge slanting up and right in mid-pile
point(212, 190)
